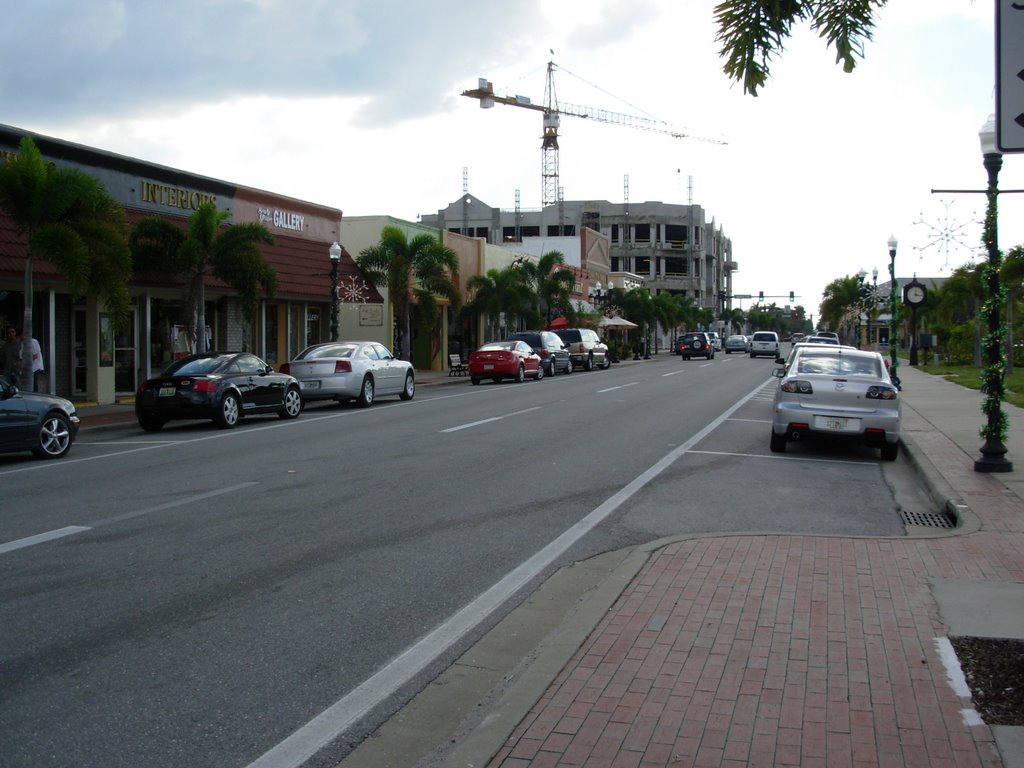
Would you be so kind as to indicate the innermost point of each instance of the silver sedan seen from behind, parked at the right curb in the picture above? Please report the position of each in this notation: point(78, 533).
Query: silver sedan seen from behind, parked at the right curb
point(838, 393)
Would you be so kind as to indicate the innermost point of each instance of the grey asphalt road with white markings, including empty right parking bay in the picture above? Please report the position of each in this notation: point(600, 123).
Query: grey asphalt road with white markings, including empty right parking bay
point(269, 595)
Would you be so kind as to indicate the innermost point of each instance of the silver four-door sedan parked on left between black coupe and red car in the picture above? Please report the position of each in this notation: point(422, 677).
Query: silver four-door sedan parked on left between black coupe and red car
point(347, 370)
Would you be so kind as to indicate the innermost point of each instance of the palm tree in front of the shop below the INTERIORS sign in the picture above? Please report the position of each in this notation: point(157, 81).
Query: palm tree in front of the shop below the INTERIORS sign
point(230, 253)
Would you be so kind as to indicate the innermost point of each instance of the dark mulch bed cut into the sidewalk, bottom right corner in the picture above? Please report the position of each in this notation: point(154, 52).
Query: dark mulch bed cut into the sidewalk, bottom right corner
point(995, 672)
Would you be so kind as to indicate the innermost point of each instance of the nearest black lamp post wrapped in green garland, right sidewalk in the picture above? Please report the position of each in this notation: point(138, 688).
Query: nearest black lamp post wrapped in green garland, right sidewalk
point(994, 452)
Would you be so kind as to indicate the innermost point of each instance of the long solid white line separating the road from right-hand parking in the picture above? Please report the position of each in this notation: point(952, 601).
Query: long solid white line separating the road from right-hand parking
point(331, 723)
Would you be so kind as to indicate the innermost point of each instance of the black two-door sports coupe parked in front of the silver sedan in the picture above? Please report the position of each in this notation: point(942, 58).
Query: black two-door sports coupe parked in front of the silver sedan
point(222, 387)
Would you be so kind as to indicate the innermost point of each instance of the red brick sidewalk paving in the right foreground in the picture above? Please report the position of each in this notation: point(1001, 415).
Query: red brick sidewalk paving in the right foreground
point(785, 651)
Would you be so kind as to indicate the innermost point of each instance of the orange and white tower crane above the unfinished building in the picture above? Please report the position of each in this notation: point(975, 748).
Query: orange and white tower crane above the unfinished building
point(553, 111)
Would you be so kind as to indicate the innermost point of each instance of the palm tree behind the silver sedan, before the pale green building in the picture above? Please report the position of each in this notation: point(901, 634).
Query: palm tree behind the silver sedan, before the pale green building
point(422, 269)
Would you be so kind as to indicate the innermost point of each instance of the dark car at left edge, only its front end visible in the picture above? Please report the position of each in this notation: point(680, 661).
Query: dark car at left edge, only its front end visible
point(32, 421)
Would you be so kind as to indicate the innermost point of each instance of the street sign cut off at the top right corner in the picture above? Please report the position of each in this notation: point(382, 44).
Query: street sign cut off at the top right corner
point(1010, 75)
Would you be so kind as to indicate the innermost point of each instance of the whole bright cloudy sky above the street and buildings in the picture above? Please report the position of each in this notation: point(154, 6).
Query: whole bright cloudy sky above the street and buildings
point(356, 105)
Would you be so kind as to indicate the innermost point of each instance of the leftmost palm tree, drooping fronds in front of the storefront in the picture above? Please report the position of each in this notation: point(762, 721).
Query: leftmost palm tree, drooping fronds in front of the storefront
point(69, 220)
